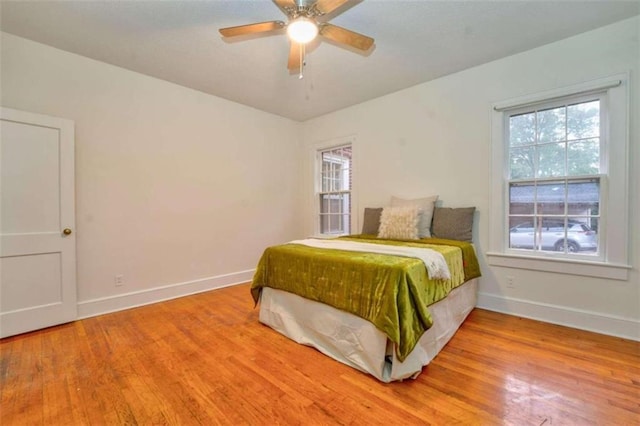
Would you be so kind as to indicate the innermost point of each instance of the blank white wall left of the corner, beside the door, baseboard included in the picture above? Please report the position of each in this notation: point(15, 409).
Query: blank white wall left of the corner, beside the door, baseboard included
point(176, 190)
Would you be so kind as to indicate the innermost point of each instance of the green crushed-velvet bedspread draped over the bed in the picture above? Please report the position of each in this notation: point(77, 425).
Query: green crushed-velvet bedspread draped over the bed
point(392, 292)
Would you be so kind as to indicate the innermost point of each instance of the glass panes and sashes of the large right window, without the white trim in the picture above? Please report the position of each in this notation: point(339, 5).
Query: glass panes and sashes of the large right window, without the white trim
point(554, 165)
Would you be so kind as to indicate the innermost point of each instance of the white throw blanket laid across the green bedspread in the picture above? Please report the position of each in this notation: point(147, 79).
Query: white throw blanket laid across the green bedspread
point(434, 261)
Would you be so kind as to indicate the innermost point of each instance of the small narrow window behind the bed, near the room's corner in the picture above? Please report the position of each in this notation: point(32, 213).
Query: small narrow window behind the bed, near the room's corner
point(334, 190)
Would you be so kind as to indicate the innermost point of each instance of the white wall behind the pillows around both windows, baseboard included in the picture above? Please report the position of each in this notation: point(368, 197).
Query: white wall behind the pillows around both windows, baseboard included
point(434, 138)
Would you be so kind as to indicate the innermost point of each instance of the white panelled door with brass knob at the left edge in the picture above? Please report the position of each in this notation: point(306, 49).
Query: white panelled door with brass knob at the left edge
point(37, 239)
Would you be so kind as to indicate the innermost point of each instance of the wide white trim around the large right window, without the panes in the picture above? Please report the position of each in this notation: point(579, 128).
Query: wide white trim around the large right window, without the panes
point(614, 221)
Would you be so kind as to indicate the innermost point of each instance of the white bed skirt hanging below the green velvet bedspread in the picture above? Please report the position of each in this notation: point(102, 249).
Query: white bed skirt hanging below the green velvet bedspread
point(357, 342)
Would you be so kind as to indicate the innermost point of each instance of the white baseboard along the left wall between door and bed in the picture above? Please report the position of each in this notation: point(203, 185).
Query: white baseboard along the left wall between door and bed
point(119, 302)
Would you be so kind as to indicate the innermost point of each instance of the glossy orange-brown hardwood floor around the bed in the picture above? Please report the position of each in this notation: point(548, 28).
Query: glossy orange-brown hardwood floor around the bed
point(205, 359)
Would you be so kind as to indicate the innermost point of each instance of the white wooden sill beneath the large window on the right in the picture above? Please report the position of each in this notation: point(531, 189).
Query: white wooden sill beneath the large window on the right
point(612, 271)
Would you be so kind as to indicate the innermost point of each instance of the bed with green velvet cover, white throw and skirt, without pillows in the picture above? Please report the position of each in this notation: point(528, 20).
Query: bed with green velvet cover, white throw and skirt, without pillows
point(381, 311)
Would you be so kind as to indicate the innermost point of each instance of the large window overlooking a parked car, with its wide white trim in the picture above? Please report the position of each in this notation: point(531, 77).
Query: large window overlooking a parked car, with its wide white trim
point(559, 182)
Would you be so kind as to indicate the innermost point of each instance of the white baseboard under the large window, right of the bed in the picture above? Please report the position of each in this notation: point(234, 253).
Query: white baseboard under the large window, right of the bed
point(627, 328)
